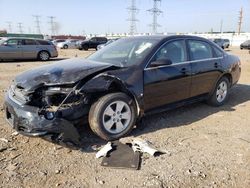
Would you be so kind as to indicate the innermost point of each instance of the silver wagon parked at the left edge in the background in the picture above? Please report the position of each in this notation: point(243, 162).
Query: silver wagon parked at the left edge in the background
point(27, 48)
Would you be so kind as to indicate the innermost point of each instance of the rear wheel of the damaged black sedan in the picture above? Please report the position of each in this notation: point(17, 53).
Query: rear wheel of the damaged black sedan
point(220, 94)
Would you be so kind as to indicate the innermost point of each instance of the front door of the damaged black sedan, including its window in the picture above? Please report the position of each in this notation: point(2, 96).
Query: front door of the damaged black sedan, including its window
point(171, 83)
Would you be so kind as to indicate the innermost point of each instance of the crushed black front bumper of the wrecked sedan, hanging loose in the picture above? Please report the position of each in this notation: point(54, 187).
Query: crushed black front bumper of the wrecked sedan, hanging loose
point(26, 120)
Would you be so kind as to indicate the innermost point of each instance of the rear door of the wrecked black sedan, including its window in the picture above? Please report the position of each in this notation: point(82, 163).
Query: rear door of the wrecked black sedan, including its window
point(205, 66)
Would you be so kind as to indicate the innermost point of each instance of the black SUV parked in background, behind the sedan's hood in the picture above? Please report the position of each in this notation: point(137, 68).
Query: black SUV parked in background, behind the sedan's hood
point(92, 43)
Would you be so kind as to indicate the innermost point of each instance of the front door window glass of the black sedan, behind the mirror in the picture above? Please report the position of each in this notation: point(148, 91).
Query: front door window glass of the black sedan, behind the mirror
point(174, 51)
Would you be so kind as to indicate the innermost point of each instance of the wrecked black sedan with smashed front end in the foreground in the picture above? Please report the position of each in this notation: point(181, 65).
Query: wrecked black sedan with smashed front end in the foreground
point(116, 86)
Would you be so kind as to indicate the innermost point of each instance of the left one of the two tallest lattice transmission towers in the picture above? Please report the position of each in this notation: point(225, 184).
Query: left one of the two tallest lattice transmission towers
point(132, 19)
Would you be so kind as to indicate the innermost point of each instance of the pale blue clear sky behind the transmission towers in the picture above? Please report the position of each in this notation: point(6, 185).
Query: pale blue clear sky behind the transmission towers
point(78, 17)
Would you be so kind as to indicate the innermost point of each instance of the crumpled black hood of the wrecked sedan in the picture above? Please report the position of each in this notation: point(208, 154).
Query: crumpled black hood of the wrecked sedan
point(61, 72)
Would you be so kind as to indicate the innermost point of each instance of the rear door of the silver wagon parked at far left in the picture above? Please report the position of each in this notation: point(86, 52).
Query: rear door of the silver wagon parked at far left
point(29, 49)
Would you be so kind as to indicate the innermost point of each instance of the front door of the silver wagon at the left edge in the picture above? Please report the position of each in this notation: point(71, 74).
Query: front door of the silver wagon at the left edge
point(12, 49)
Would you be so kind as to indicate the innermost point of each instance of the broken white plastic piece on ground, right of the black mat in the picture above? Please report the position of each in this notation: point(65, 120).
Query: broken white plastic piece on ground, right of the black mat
point(140, 145)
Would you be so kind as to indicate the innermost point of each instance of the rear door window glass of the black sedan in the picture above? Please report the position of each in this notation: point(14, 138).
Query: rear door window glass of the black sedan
point(199, 50)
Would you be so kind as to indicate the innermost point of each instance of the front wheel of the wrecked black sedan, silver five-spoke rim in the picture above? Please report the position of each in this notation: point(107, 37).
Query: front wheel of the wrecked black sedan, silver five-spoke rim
point(112, 116)
